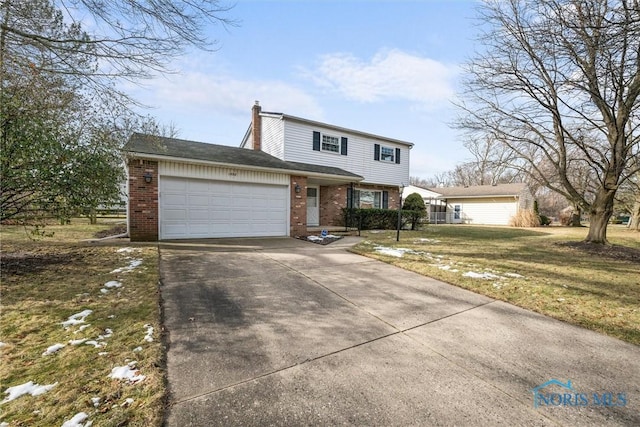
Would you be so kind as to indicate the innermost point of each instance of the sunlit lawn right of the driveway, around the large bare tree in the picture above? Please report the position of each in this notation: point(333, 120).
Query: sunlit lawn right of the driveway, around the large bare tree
point(599, 291)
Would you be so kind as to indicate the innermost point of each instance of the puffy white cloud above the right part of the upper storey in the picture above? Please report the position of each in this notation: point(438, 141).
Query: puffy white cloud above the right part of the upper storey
point(389, 75)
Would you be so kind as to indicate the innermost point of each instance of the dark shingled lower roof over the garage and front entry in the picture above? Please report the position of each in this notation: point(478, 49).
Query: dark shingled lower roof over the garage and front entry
point(153, 146)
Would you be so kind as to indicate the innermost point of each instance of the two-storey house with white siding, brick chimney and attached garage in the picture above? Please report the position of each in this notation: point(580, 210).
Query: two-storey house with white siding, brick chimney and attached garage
point(288, 174)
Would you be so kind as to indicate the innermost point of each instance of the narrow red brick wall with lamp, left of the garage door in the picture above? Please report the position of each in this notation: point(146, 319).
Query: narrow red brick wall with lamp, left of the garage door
point(143, 201)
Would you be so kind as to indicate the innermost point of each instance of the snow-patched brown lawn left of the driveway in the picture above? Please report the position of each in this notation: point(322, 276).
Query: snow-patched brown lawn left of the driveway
point(47, 280)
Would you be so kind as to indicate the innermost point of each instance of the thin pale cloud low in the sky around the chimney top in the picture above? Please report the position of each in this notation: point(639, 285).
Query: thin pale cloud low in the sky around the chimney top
point(225, 95)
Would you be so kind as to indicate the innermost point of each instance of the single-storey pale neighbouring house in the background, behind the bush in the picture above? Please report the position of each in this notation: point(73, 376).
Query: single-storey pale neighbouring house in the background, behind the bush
point(478, 204)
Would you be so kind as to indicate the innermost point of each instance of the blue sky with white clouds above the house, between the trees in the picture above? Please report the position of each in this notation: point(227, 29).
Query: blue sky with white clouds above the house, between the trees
point(391, 68)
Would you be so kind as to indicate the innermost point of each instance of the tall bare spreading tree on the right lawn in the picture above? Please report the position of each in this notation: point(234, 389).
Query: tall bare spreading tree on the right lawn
point(558, 83)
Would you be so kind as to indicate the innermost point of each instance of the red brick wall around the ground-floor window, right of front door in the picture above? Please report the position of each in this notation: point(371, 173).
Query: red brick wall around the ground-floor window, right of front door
point(333, 198)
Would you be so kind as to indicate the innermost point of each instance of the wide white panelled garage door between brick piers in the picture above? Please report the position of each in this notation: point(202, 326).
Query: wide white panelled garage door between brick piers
point(196, 208)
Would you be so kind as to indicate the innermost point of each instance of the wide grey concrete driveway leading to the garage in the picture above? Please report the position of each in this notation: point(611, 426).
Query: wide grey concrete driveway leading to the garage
point(285, 332)
